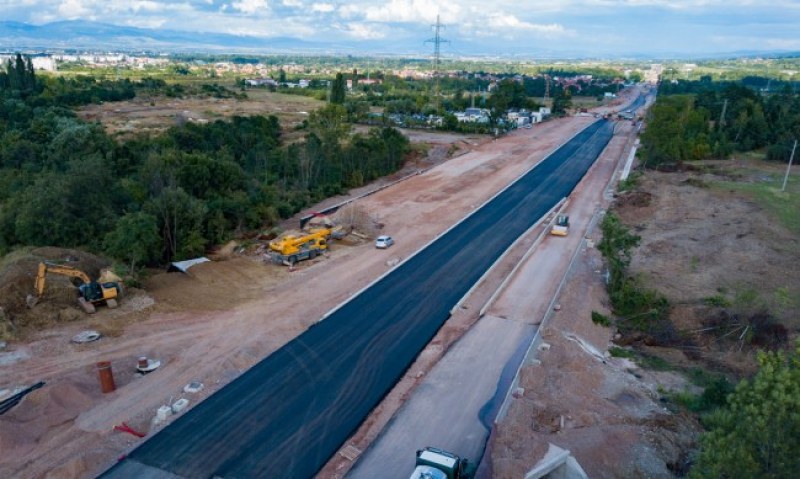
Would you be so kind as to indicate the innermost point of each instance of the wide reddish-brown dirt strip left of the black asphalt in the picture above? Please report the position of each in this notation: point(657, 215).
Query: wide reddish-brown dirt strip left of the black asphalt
point(216, 322)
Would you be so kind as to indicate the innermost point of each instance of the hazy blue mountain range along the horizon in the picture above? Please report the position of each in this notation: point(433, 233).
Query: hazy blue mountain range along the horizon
point(94, 36)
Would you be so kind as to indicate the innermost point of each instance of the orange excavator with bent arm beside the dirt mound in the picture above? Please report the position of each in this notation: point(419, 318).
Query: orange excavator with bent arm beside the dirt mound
point(91, 292)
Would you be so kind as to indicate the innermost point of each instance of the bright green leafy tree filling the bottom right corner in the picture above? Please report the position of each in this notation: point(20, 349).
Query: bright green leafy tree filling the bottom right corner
point(757, 435)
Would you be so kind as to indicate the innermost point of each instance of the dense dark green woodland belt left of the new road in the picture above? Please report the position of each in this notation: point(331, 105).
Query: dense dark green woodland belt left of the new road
point(156, 198)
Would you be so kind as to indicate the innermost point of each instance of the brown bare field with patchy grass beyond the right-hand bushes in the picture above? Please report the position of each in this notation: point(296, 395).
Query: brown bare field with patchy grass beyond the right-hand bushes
point(726, 263)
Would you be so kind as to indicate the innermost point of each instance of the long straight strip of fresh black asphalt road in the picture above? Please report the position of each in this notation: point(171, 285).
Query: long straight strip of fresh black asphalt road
point(288, 414)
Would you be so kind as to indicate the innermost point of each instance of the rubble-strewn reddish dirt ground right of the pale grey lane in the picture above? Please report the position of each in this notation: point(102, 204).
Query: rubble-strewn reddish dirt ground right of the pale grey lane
point(606, 411)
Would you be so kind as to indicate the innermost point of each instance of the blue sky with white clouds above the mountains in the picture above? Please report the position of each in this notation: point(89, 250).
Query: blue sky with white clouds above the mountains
point(590, 27)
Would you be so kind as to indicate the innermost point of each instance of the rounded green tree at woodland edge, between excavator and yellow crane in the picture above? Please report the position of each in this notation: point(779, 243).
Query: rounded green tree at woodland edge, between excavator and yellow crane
point(135, 239)
